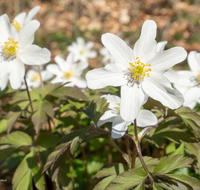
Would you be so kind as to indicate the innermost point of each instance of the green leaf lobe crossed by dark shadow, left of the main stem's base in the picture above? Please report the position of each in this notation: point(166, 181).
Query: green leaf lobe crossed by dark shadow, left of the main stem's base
point(113, 169)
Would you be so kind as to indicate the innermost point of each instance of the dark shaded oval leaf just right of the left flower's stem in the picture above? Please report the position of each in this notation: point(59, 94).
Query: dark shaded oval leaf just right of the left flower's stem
point(47, 140)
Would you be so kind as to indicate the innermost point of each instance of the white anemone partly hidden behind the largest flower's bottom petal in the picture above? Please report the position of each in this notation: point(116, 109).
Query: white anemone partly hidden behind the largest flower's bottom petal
point(119, 126)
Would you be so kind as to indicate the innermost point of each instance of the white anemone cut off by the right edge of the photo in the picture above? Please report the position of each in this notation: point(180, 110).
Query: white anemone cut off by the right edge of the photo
point(189, 81)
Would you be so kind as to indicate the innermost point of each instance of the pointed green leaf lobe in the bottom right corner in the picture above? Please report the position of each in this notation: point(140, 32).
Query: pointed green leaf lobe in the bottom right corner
point(193, 182)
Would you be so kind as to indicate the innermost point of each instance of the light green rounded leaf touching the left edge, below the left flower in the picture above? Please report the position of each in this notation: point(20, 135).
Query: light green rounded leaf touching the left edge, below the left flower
point(16, 138)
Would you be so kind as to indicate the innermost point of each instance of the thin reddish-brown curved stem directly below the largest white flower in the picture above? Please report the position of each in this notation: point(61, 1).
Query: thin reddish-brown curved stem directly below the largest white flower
point(139, 152)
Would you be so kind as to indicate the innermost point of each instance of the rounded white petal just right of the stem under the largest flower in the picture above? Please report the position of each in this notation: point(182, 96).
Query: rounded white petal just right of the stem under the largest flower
point(146, 118)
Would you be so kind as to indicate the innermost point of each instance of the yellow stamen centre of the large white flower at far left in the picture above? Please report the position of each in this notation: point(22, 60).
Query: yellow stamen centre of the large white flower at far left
point(10, 48)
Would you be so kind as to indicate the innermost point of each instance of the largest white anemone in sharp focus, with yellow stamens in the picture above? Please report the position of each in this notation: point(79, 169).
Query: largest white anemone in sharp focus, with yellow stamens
point(139, 71)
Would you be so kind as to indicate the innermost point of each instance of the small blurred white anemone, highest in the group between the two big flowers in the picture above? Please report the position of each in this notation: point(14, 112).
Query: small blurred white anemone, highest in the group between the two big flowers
point(81, 50)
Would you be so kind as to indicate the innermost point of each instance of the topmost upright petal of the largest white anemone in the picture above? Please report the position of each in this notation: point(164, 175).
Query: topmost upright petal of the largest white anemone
point(145, 47)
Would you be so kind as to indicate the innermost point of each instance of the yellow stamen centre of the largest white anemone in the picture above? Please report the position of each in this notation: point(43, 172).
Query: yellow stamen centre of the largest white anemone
point(139, 70)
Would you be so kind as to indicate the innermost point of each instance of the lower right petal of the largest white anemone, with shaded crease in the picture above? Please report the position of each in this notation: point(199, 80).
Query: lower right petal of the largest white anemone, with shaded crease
point(159, 88)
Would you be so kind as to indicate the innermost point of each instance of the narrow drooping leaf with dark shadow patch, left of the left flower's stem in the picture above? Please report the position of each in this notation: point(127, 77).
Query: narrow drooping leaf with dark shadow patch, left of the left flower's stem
point(14, 114)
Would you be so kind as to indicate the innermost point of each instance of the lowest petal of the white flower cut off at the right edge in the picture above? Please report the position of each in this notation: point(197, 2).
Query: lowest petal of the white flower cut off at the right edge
point(193, 94)
